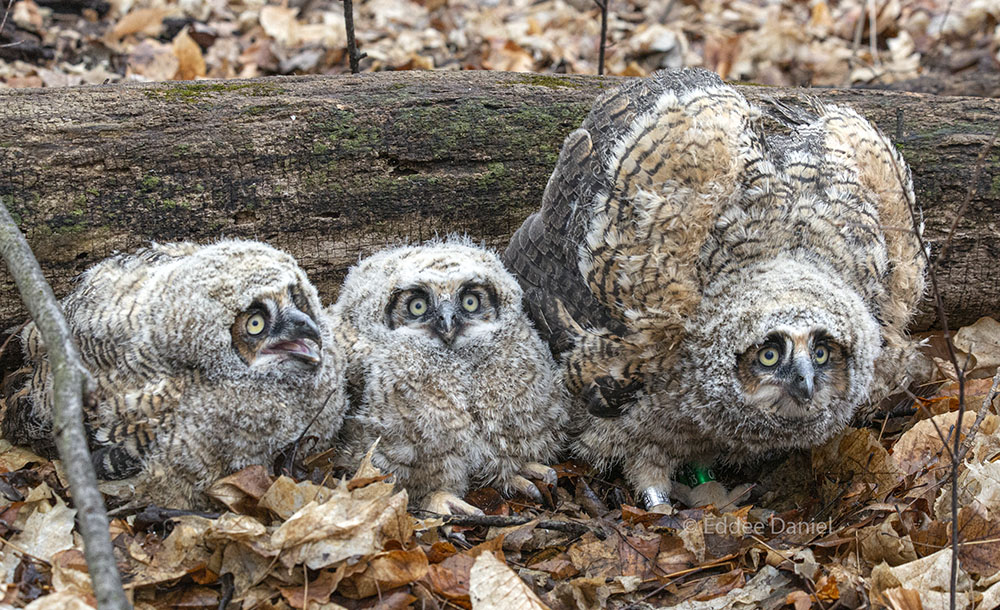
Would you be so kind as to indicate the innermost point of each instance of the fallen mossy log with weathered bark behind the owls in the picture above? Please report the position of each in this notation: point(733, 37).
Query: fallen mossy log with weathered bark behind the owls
point(334, 168)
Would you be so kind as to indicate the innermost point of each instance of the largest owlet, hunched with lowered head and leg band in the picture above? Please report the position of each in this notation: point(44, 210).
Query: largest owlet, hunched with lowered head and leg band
point(716, 280)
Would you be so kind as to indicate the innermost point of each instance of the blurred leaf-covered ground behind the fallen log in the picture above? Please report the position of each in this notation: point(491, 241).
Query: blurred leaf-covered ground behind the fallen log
point(777, 42)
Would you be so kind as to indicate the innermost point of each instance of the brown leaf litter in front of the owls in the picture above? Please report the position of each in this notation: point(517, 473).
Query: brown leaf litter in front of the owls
point(864, 519)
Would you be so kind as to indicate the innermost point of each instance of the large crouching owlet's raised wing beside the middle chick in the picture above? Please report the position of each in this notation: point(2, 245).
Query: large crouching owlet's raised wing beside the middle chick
point(610, 263)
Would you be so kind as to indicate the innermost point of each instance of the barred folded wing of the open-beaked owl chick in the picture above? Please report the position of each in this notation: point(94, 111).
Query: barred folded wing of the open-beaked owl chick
point(118, 414)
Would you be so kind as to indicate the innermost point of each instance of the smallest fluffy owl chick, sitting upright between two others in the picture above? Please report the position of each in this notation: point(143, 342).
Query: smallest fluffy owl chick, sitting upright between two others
point(447, 372)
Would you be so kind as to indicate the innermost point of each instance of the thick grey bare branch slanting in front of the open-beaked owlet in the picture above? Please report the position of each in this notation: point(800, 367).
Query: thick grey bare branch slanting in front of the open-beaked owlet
point(70, 379)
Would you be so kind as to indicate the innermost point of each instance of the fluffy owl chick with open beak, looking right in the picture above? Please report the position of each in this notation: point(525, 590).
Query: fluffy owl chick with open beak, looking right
point(207, 359)
